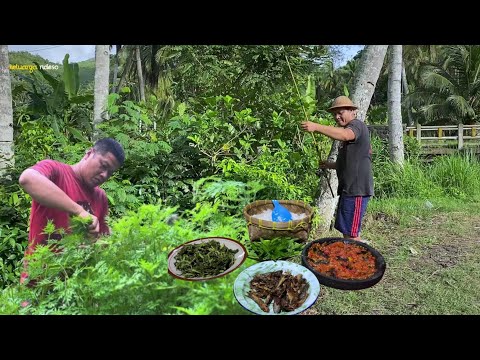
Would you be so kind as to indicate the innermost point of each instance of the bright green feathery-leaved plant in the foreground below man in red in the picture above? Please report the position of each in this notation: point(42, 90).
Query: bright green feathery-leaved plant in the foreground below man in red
point(126, 272)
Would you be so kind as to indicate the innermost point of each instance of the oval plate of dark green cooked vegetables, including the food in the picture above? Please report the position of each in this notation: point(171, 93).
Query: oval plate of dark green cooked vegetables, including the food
point(206, 258)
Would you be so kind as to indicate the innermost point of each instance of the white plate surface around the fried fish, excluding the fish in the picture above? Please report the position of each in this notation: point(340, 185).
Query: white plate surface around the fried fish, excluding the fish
point(241, 287)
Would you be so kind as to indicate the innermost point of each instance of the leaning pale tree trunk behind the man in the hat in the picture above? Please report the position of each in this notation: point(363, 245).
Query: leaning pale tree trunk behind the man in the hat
point(366, 76)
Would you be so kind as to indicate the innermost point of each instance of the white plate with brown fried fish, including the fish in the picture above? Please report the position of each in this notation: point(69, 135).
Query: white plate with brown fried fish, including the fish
point(276, 288)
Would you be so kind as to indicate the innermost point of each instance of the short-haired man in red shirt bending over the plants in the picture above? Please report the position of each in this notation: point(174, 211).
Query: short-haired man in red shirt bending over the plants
point(59, 191)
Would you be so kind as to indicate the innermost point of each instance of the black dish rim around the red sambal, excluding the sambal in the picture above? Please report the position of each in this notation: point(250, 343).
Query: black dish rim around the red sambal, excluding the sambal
point(344, 284)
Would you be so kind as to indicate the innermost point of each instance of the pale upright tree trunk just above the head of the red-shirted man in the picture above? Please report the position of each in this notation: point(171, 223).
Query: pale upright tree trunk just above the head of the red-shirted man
point(102, 69)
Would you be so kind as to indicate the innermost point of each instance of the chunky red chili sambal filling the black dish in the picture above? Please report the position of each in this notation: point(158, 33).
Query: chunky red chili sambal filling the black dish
point(341, 260)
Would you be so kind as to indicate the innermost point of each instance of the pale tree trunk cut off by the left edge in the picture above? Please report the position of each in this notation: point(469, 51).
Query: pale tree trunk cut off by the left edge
point(6, 112)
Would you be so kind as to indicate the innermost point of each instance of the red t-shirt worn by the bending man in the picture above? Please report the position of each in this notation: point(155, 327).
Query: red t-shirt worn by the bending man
point(92, 200)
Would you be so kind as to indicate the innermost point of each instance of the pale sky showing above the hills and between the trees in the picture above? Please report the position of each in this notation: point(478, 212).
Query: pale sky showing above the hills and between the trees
point(56, 53)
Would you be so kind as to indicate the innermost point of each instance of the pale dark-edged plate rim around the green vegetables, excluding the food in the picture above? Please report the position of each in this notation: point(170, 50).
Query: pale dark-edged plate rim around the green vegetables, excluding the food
point(240, 257)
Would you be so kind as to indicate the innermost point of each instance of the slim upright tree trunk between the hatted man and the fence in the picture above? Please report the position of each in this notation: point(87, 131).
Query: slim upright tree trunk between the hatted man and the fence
point(394, 96)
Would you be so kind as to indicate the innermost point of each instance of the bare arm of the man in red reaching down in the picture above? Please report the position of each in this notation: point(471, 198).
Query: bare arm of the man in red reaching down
point(48, 194)
